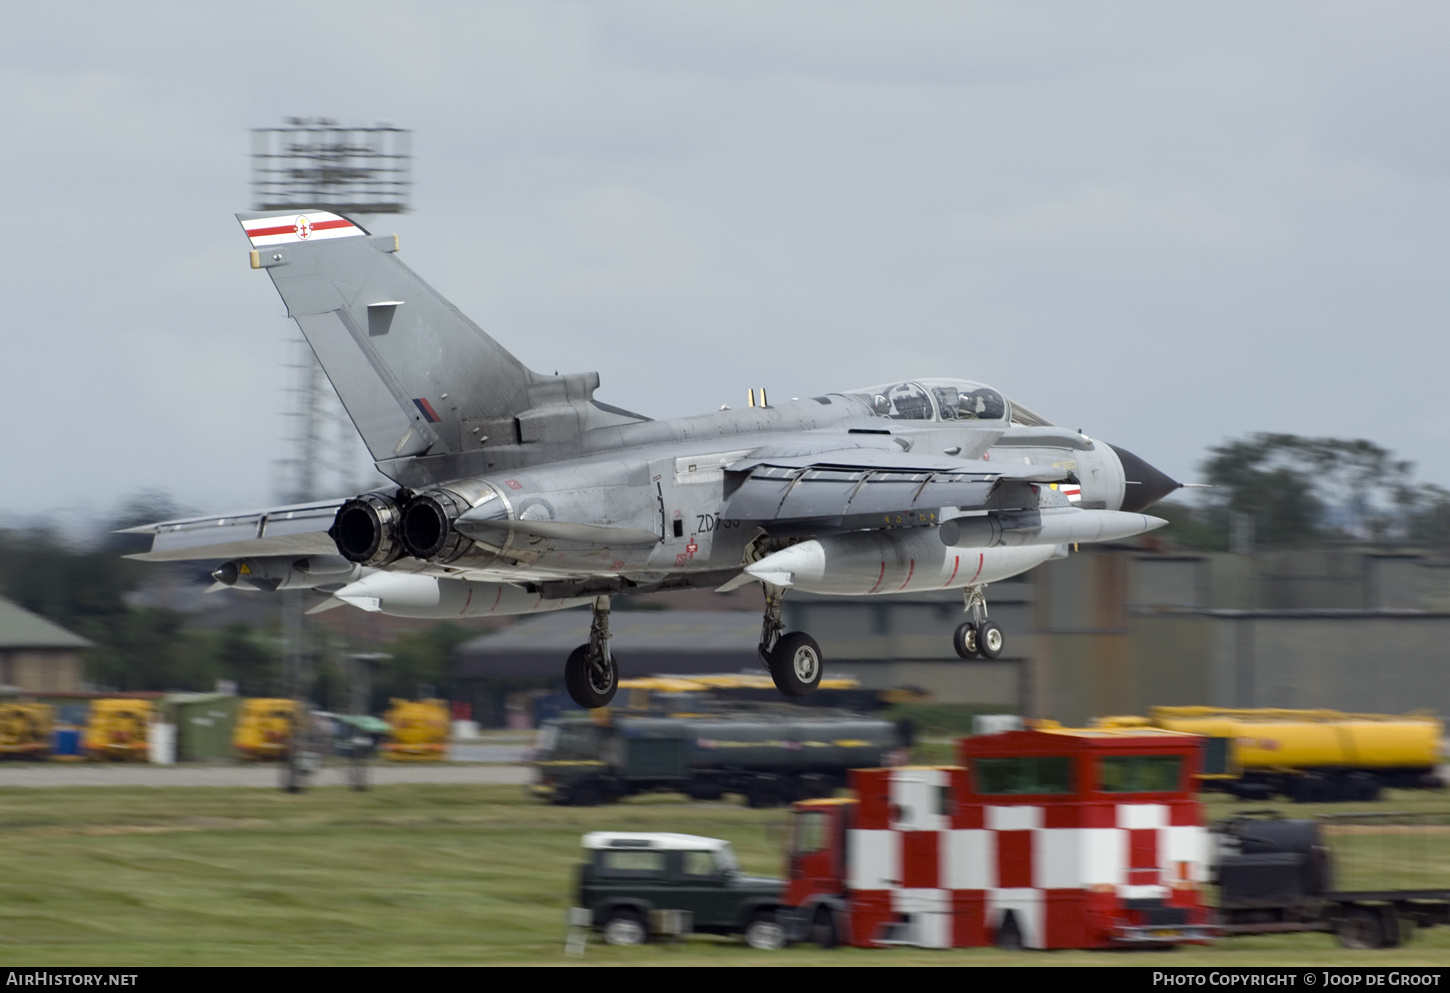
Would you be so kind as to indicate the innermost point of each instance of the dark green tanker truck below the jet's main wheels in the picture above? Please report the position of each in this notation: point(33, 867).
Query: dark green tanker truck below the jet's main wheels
point(771, 756)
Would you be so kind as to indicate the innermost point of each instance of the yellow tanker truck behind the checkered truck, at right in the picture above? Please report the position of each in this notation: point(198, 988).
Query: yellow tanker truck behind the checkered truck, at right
point(1306, 756)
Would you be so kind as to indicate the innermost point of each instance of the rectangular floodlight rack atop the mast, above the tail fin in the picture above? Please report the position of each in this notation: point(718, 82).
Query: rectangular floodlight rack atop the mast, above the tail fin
point(318, 163)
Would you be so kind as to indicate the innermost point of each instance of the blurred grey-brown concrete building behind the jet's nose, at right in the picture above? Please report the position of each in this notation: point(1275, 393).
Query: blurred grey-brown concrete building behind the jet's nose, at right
point(1120, 630)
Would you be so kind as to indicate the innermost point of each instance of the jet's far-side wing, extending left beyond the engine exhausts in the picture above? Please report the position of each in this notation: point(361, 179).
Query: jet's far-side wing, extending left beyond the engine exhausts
point(298, 530)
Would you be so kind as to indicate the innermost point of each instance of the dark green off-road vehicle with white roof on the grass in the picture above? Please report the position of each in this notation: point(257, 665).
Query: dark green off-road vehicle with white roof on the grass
point(636, 886)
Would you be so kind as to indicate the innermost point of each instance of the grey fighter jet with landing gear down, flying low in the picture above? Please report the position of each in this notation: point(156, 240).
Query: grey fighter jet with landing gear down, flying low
point(517, 492)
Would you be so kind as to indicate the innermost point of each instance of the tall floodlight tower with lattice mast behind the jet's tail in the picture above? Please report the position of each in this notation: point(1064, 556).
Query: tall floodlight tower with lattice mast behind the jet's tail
point(317, 165)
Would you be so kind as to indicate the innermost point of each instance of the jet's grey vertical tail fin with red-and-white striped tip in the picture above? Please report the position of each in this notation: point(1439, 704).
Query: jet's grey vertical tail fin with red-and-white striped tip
point(414, 373)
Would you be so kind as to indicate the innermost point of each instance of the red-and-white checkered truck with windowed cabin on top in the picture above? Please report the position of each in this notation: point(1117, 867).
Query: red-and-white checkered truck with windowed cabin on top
point(1040, 839)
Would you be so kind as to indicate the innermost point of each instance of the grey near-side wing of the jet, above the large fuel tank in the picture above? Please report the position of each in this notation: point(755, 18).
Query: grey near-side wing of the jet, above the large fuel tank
point(869, 488)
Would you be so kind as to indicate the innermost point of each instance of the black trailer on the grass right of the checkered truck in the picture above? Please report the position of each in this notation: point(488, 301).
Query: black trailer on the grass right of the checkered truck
point(1372, 879)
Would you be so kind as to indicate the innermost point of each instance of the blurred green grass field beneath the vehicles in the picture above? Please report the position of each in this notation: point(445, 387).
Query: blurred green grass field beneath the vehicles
point(415, 875)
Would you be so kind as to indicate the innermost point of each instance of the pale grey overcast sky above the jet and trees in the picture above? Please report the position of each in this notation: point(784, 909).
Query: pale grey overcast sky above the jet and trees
point(1164, 224)
